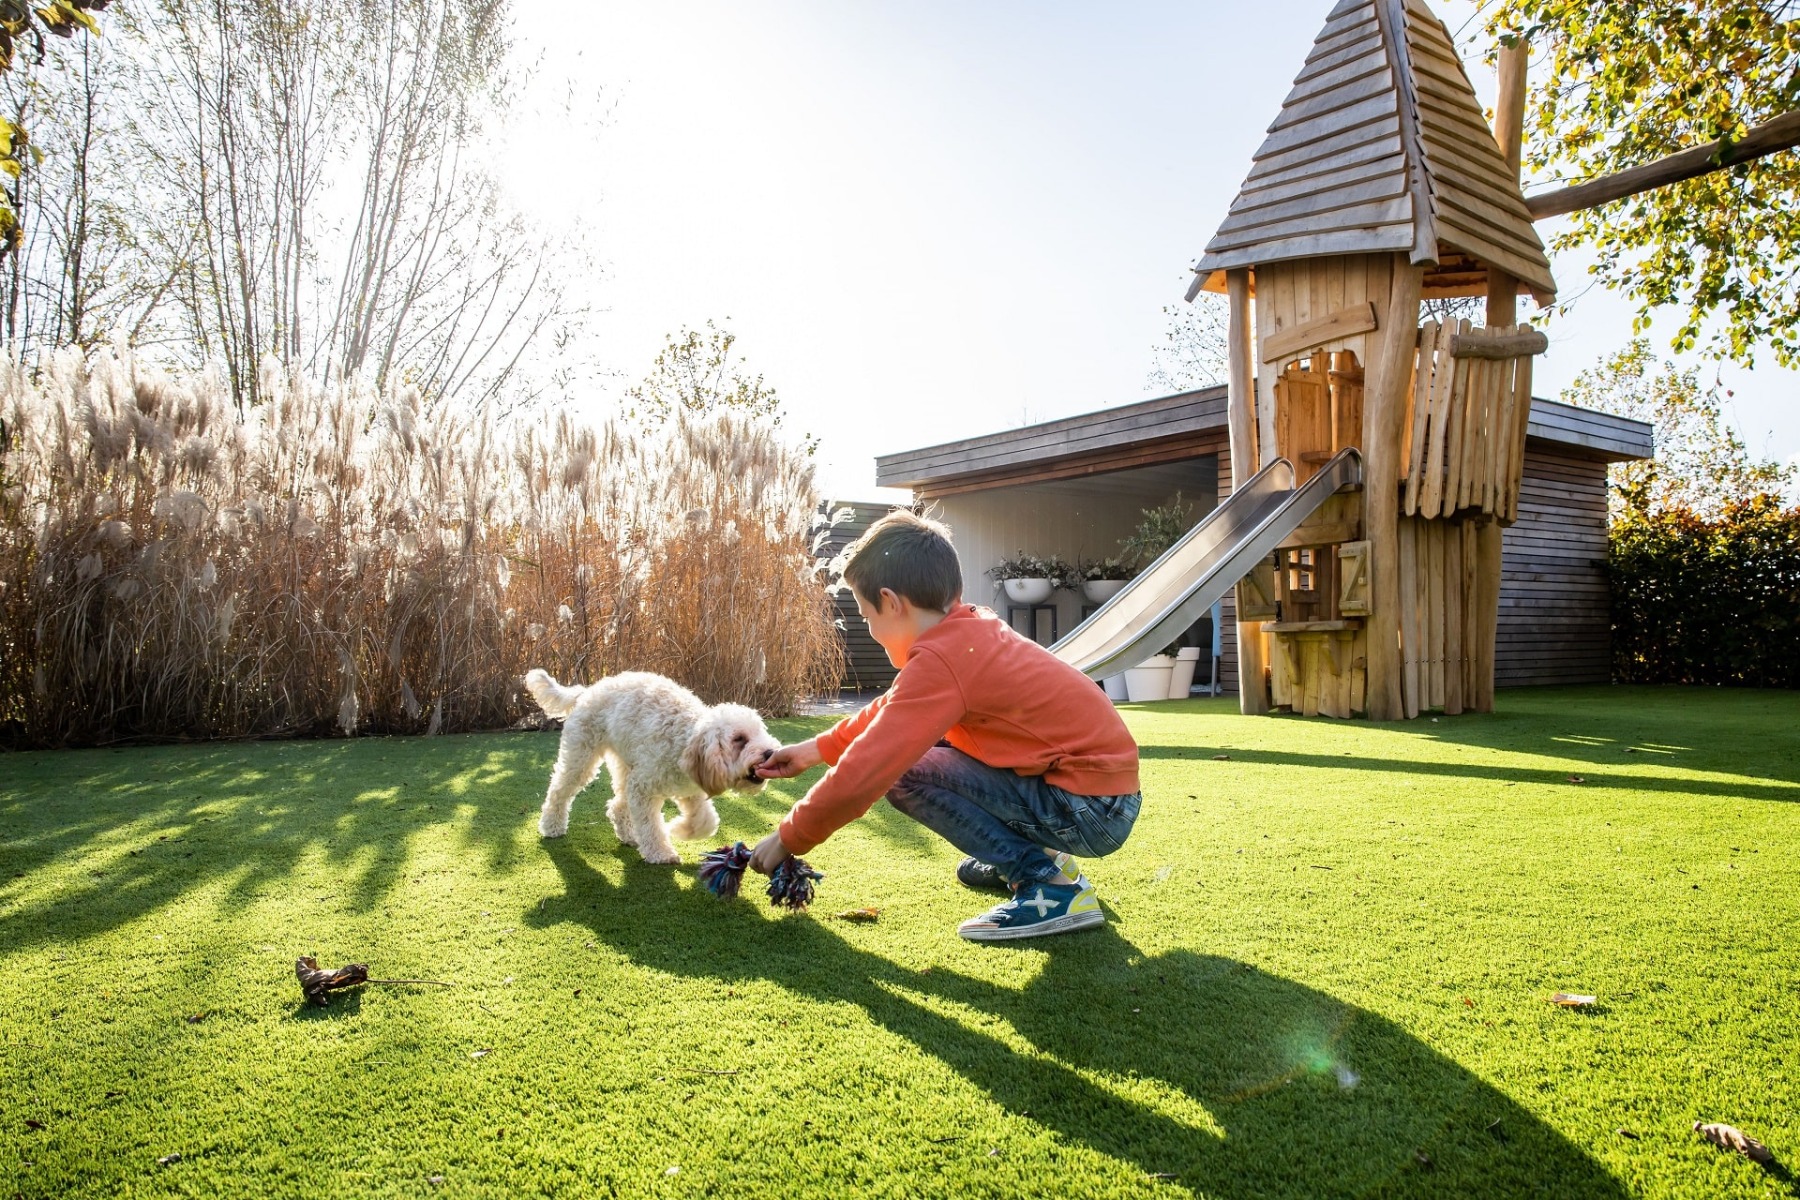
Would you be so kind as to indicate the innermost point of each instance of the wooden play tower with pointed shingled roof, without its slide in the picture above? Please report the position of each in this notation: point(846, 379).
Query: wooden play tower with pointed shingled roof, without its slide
point(1378, 186)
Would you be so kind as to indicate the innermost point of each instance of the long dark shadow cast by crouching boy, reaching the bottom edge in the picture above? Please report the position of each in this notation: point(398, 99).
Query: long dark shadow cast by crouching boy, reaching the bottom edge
point(1192, 1068)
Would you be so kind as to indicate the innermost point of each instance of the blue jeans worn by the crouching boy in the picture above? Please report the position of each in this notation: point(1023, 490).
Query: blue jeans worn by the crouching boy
point(1007, 819)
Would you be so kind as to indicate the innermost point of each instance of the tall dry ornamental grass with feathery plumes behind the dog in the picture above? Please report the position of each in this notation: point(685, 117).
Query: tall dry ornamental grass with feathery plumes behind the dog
point(345, 562)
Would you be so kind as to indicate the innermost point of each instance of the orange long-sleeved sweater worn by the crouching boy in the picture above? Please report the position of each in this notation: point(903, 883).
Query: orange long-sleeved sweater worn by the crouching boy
point(991, 694)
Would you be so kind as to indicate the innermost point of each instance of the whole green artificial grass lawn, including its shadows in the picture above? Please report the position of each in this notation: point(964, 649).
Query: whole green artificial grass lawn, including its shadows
point(1326, 974)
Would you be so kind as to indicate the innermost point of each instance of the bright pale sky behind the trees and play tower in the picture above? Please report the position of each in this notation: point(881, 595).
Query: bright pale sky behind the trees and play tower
point(931, 220)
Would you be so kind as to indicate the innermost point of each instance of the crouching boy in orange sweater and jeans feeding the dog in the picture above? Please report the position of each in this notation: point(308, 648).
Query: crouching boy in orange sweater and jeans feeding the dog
point(985, 739)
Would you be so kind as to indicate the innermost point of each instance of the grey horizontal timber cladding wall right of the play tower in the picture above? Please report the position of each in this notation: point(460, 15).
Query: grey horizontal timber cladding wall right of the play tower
point(1554, 602)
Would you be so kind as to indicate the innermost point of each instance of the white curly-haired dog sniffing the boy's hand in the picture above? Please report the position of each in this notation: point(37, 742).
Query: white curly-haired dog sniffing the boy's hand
point(660, 744)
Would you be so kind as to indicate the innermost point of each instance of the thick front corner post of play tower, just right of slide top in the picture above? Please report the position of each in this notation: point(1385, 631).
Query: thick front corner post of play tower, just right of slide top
point(1390, 382)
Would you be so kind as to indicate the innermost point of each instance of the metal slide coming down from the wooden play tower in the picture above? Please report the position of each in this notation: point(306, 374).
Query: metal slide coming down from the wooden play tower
point(1178, 589)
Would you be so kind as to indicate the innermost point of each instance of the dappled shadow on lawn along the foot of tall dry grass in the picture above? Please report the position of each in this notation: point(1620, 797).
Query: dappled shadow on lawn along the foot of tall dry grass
point(96, 839)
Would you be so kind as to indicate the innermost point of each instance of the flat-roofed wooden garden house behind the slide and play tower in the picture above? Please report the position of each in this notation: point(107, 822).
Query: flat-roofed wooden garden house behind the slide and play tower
point(1077, 487)
